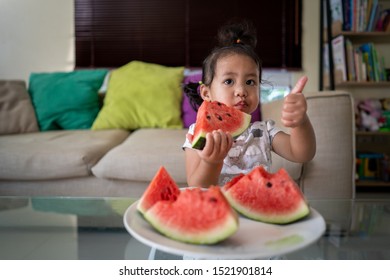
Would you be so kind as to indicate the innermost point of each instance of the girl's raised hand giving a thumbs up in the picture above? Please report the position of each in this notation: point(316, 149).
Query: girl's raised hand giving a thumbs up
point(294, 106)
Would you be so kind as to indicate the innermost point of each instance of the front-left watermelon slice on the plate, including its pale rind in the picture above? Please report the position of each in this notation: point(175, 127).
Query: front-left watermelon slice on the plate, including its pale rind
point(198, 216)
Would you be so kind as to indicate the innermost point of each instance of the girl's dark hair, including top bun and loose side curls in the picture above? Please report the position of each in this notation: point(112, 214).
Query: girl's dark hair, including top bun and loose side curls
point(233, 38)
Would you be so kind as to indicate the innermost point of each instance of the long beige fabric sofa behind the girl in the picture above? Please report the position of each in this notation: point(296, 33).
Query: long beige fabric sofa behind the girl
point(112, 162)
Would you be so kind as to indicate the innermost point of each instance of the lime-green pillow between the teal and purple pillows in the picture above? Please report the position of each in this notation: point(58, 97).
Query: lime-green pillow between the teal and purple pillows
point(142, 95)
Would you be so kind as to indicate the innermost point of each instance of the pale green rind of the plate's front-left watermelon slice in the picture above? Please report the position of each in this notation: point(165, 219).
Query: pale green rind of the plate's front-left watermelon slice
point(225, 229)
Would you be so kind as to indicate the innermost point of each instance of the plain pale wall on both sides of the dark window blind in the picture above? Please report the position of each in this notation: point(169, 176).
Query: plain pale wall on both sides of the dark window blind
point(38, 36)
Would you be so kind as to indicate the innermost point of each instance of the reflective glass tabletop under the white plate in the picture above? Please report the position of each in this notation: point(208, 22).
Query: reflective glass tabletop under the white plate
point(61, 228)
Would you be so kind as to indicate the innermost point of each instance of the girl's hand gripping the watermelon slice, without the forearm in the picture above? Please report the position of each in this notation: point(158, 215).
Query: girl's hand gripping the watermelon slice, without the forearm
point(218, 144)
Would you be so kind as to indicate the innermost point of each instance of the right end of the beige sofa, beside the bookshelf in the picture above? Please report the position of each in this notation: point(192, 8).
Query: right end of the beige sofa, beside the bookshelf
point(331, 173)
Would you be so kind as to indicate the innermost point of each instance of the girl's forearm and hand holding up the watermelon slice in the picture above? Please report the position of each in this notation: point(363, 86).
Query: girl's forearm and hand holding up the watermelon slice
point(204, 167)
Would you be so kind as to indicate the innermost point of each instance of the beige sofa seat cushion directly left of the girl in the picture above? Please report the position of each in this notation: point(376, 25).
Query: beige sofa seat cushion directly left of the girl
point(140, 156)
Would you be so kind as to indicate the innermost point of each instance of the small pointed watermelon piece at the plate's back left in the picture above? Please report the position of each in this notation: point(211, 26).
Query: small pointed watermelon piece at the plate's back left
point(162, 187)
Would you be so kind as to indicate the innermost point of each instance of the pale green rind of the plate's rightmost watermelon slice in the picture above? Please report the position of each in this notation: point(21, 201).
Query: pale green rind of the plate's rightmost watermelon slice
point(301, 211)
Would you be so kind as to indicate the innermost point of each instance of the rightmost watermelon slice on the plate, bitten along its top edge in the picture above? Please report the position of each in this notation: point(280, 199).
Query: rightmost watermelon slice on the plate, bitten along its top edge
point(263, 196)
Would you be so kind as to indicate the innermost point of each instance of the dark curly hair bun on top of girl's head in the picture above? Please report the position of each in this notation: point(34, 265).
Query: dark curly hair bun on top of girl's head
point(237, 32)
